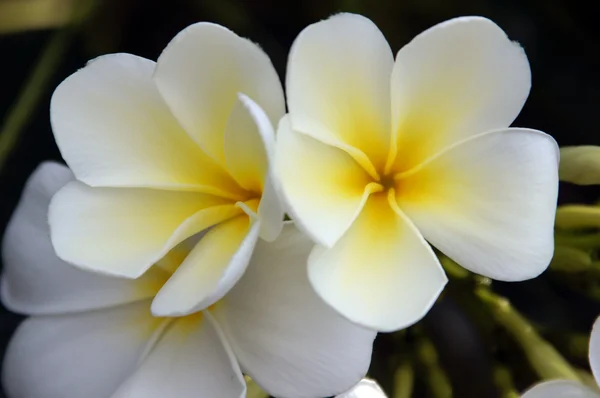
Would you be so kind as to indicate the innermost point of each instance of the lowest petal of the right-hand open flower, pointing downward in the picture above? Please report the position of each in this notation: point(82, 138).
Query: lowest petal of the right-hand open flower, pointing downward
point(381, 273)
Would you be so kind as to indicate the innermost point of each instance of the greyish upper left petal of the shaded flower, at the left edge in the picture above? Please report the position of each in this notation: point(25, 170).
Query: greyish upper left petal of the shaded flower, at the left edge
point(35, 280)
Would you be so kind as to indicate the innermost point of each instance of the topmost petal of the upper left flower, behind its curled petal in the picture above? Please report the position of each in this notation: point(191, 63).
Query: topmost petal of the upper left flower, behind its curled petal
point(200, 74)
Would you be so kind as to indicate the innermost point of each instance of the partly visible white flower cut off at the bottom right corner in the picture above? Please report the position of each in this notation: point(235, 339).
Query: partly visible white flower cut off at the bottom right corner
point(569, 388)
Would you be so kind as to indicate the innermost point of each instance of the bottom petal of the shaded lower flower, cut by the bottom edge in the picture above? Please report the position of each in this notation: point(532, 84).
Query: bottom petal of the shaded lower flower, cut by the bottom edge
point(190, 360)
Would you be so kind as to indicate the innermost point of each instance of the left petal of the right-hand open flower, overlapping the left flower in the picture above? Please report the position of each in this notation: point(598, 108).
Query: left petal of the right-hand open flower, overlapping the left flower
point(324, 187)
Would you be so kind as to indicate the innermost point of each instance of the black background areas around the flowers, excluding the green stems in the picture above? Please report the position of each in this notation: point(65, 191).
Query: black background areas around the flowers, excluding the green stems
point(561, 39)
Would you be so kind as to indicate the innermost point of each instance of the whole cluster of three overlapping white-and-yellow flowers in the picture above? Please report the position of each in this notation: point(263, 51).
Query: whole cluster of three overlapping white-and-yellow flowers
point(166, 268)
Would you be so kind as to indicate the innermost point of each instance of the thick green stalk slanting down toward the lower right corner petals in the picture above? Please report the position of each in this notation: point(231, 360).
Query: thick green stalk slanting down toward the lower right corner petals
point(542, 356)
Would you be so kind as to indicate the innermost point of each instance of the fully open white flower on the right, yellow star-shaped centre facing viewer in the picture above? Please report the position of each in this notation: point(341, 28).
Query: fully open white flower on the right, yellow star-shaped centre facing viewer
point(377, 156)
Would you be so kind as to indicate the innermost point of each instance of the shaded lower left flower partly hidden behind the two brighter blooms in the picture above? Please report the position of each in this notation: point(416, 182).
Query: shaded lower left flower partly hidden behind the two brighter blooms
point(94, 336)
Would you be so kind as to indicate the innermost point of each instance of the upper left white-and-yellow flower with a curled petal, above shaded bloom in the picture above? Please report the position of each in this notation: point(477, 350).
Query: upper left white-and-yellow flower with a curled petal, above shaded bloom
point(163, 151)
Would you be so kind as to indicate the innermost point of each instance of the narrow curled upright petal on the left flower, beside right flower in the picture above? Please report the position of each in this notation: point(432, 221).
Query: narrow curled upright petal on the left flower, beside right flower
point(249, 150)
